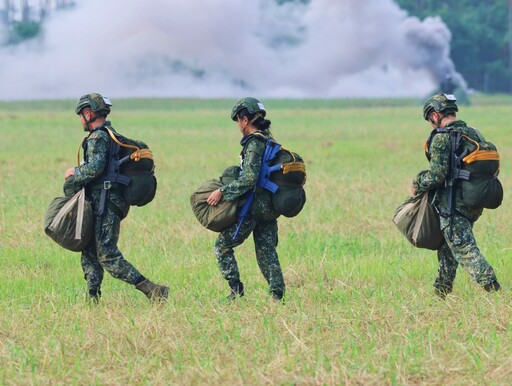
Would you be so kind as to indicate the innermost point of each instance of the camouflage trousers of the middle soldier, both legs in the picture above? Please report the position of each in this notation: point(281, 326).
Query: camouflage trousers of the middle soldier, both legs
point(265, 243)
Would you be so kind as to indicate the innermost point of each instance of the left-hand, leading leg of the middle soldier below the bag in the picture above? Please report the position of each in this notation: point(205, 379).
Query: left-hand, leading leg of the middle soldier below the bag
point(226, 257)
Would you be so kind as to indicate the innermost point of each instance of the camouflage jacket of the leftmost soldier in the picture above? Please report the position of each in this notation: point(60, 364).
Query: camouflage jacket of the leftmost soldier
point(96, 155)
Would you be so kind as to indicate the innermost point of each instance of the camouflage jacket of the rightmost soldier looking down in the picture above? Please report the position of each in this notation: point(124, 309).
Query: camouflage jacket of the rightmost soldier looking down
point(434, 178)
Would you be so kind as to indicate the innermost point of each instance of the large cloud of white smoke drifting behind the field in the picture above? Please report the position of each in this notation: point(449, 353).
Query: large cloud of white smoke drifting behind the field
point(229, 48)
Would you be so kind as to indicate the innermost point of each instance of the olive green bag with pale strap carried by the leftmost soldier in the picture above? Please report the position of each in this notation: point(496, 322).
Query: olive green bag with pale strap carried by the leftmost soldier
point(69, 221)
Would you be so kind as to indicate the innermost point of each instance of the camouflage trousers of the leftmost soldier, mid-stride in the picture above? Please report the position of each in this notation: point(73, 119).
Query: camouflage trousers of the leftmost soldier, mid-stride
point(102, 254)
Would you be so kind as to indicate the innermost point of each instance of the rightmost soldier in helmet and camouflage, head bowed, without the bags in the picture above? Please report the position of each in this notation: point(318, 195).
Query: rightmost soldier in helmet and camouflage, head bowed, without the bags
point(460, 245)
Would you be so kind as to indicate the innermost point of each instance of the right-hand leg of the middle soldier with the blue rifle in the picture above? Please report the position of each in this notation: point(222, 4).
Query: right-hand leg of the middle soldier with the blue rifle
point(265, 243)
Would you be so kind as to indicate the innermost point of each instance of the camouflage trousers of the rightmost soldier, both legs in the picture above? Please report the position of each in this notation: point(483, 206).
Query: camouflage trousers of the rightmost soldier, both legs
point(461, 249)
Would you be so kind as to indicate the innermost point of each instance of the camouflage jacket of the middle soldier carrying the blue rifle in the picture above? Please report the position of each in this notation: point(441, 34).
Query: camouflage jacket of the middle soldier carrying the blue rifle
point(253, 149)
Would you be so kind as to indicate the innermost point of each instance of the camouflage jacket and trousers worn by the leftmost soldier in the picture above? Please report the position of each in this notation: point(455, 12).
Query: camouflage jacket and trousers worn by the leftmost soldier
point(103, 253)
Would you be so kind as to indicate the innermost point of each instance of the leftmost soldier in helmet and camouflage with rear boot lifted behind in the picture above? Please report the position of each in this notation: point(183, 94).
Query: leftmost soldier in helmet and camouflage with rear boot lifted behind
point(102, 253)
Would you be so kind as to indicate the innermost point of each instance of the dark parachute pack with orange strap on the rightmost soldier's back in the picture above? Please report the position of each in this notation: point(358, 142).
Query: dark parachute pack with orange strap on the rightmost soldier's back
point(475, 164)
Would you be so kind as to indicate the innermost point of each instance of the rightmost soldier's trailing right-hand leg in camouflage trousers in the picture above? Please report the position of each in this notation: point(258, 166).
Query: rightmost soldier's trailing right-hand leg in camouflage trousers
point(466, 252)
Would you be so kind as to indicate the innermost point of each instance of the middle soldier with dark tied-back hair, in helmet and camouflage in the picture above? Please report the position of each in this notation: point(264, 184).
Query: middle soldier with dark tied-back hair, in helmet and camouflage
point(250, 113)
